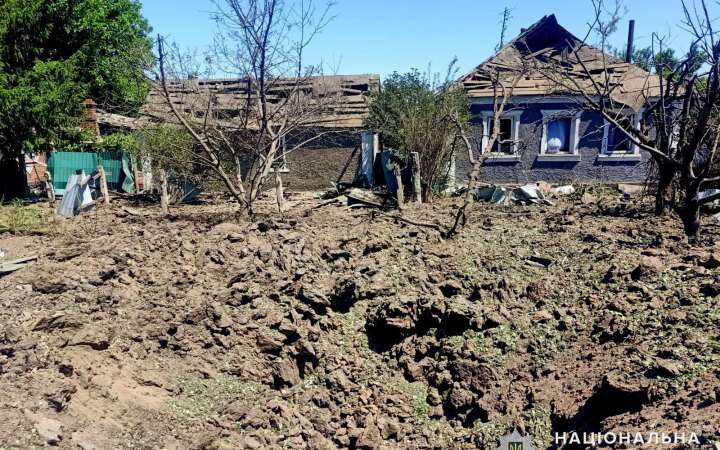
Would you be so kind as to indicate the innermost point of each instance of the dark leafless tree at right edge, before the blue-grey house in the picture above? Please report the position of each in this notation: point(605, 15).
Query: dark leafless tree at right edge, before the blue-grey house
point(680, 124)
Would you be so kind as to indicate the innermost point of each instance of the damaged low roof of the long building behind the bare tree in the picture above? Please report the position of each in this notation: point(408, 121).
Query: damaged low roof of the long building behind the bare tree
point(335, 101)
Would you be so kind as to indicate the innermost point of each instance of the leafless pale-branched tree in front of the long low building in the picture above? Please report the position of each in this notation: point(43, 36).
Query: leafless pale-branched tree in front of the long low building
point(261, 44)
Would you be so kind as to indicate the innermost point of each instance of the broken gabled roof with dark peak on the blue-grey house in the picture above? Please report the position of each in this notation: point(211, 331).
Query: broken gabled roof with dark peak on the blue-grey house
point(551, 61)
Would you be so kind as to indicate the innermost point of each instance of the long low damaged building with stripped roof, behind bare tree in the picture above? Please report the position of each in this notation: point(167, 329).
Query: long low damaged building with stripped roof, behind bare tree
point(330, 138)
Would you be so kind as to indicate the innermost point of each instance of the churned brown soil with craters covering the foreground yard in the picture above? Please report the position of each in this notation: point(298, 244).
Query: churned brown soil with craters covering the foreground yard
point(337, 328)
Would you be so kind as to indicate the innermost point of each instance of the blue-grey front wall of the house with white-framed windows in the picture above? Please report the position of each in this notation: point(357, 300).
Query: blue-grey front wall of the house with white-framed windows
point(528, 169)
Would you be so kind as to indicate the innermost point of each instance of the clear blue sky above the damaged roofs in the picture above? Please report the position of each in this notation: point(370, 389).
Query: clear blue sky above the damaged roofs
point(382, 36)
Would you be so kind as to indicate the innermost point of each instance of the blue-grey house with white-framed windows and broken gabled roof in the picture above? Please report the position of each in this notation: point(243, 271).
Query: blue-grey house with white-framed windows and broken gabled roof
point(546, 132)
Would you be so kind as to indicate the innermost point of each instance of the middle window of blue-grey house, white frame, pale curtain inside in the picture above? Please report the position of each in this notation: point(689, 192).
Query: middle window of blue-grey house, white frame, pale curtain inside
point(560, 140)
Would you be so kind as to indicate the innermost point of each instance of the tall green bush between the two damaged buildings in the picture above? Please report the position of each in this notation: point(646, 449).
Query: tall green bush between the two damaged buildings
point(418, 112)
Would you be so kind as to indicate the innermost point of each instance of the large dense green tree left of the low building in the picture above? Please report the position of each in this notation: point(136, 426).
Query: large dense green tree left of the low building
point(54, 54)
